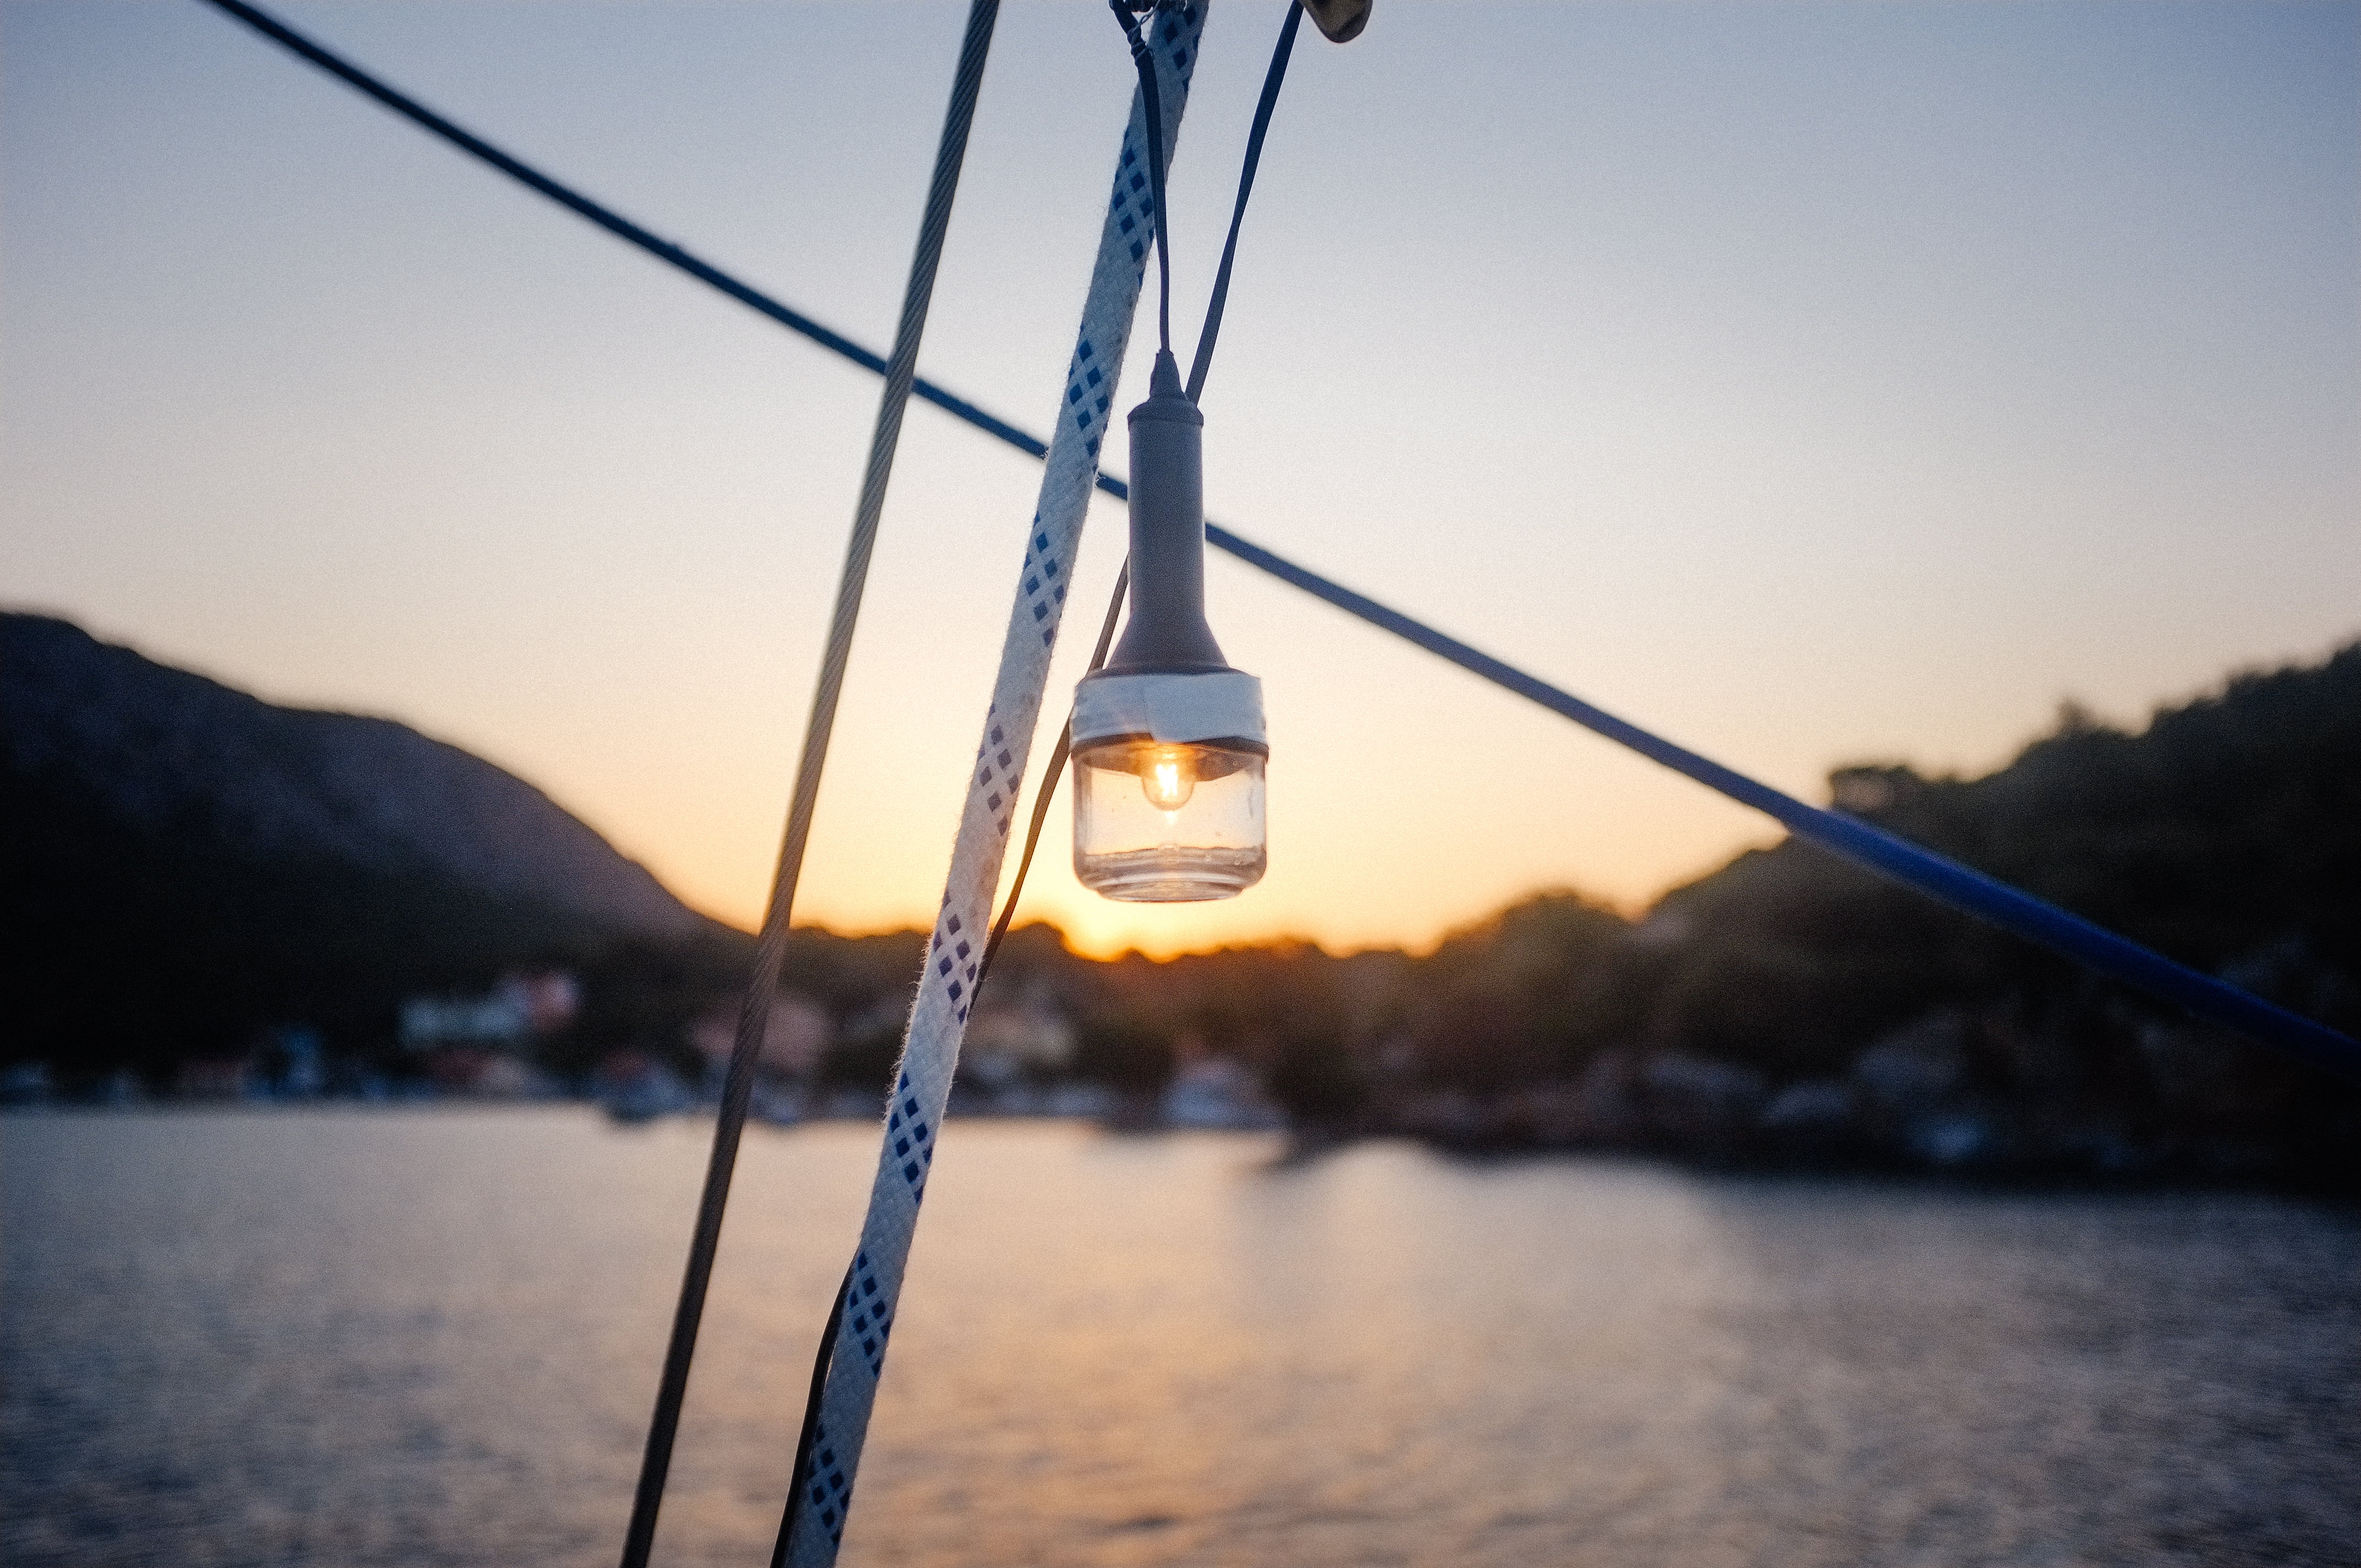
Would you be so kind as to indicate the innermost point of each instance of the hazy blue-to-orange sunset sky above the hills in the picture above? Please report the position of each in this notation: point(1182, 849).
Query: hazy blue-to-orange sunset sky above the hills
point(1812, 384)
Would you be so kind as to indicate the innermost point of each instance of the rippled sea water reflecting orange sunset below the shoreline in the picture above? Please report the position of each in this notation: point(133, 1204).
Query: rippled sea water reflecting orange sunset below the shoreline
point(431, 1338)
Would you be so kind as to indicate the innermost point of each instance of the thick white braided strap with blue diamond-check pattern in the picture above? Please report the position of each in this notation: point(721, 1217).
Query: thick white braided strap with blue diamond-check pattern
point(941, 1014)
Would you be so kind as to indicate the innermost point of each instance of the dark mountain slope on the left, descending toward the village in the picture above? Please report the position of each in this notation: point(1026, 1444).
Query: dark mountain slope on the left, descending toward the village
point(183, 863)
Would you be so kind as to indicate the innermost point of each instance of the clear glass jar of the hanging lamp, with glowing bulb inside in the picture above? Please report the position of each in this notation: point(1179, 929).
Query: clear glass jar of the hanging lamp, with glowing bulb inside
point(1168, 823)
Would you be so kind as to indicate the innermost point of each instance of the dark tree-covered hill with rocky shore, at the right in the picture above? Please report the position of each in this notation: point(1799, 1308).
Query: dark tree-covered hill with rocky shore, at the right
point(1798, 1007)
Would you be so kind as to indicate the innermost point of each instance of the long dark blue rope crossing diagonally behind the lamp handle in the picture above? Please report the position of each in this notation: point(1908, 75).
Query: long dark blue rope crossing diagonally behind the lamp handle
point(1869, 847)
